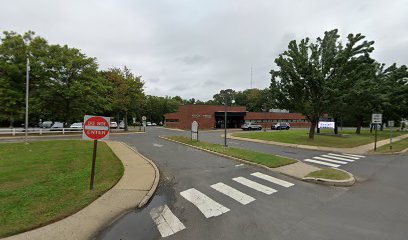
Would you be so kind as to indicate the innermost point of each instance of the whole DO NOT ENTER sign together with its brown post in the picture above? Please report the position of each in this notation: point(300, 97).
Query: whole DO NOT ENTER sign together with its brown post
point(95, 128)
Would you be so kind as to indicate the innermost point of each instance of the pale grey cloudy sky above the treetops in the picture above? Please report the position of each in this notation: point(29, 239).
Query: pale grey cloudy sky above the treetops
point(195, 48)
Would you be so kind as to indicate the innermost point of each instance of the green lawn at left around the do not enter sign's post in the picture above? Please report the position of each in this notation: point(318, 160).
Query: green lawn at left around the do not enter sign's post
point(46, 181)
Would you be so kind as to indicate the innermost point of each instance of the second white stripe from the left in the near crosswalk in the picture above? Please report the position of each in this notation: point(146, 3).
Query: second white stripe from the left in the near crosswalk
point(206, 205)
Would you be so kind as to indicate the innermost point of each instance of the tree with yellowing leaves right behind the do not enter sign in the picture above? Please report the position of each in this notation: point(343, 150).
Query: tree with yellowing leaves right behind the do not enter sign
point(126, 94)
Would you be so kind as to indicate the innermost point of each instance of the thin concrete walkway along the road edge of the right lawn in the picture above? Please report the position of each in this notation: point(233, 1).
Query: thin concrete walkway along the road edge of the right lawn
point(363, 149)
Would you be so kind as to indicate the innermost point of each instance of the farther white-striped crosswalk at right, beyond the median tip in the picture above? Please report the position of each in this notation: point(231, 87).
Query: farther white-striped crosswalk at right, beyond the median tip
point(334, 159)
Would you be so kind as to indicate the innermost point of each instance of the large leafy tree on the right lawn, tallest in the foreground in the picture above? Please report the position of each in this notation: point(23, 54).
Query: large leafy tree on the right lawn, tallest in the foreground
point(306, 70)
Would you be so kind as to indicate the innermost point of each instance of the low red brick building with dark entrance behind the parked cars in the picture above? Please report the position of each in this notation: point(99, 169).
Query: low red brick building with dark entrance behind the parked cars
point(212, 117)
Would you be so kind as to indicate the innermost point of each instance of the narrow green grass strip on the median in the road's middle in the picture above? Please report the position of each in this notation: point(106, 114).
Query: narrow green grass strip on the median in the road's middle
point(252, 156)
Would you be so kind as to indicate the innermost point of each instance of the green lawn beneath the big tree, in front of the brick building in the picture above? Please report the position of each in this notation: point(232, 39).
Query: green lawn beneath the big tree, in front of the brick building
point(346, 140)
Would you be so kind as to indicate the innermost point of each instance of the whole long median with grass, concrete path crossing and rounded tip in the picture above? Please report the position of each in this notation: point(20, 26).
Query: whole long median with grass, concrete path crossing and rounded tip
point(287, 166)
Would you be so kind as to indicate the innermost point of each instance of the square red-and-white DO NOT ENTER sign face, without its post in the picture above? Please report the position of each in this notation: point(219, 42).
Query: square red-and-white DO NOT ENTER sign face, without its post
point(96, 127)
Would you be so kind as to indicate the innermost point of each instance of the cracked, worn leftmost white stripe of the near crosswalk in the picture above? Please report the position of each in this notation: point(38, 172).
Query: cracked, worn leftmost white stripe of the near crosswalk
point(167, 223)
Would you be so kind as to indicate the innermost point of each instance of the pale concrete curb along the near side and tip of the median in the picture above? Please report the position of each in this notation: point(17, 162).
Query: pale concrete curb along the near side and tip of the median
point(329, 182)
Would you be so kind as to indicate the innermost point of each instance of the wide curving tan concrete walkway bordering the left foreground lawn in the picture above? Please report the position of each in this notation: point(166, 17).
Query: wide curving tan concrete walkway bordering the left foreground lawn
point(134, 189)
